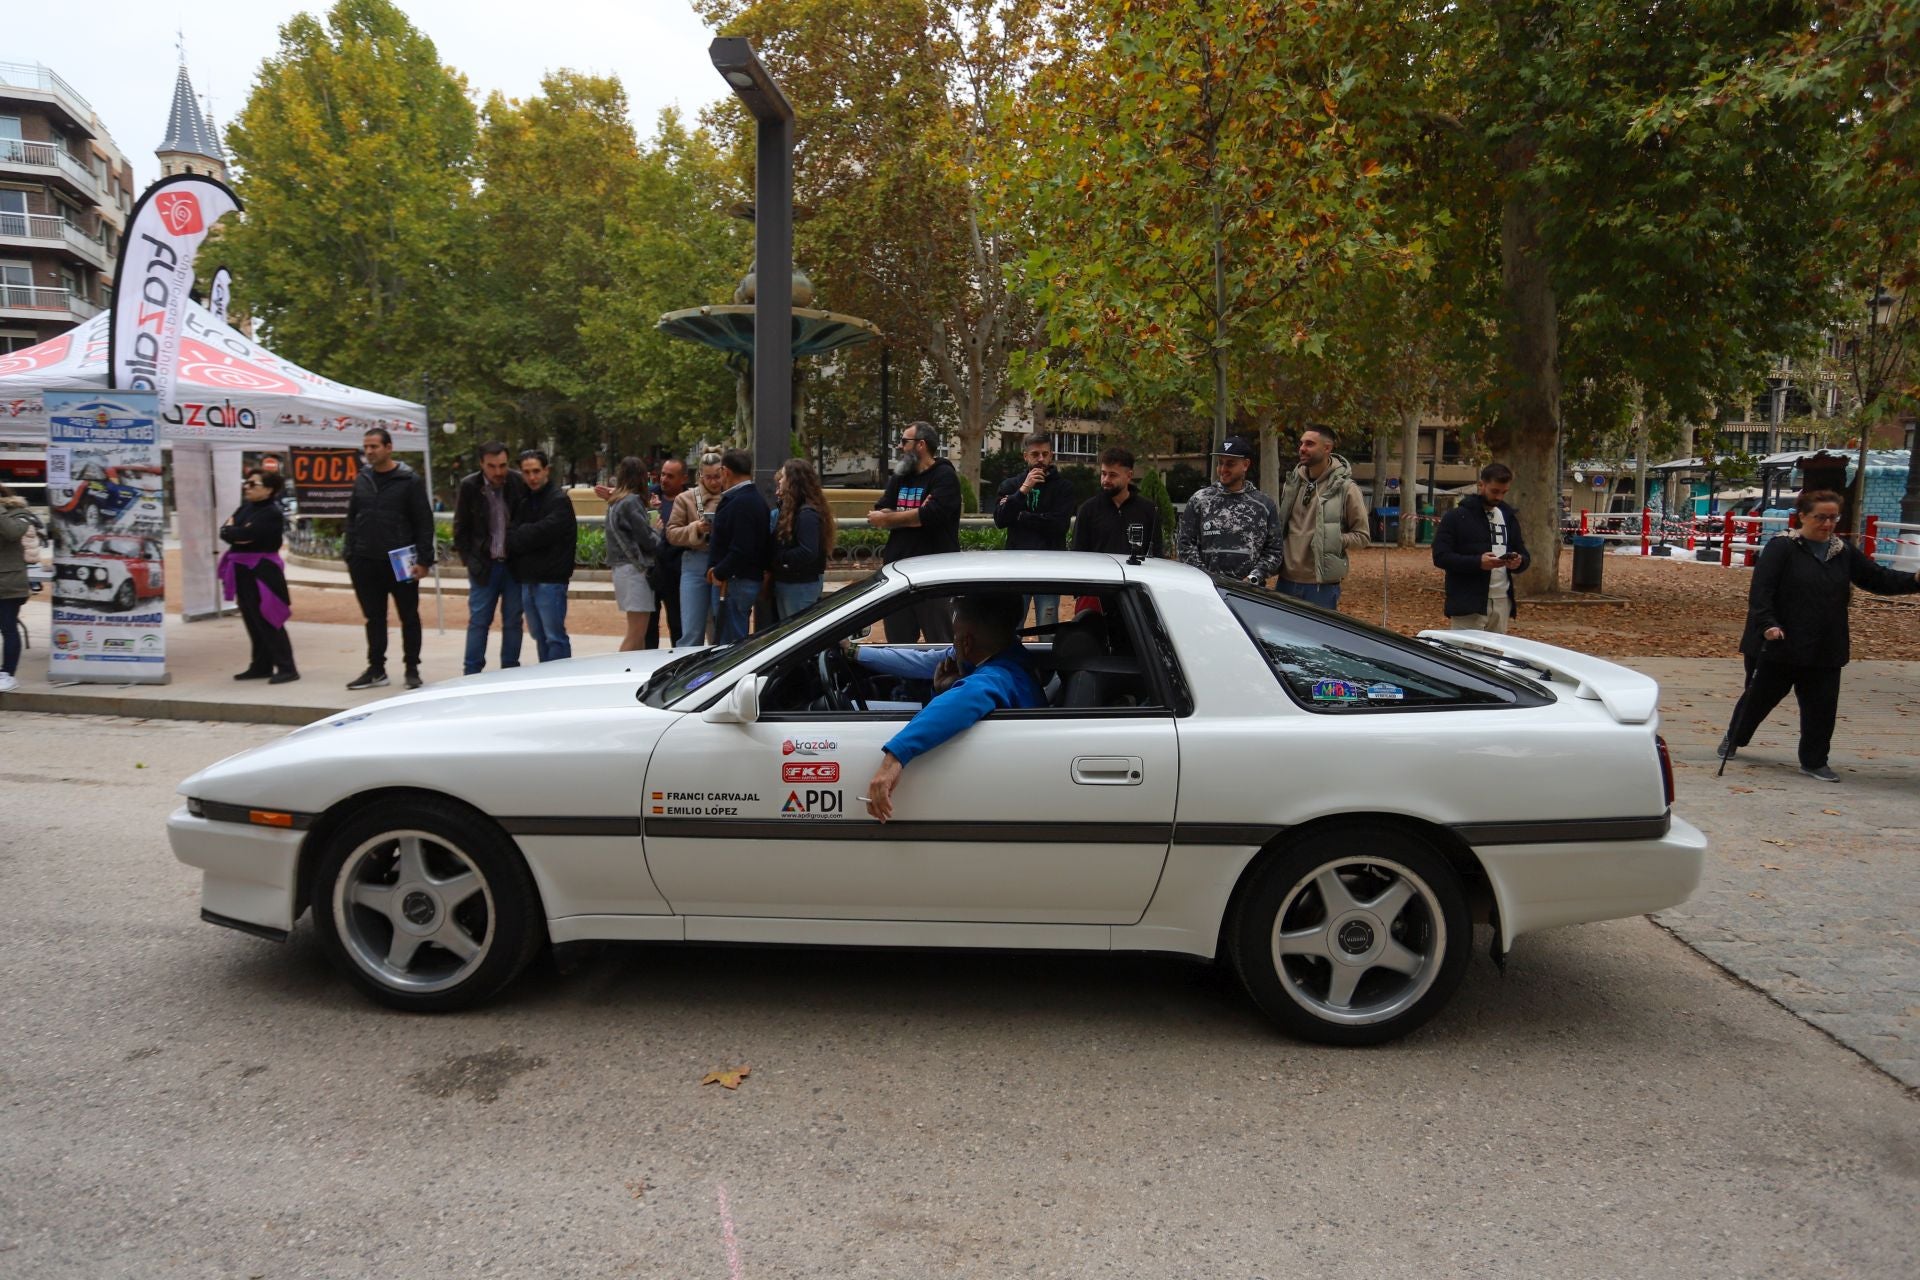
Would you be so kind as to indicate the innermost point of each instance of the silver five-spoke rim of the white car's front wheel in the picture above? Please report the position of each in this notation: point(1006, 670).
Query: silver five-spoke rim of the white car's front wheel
point(414, 911)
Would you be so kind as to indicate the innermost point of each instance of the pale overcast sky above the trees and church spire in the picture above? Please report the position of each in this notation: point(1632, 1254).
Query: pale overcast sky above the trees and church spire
point(122, 55)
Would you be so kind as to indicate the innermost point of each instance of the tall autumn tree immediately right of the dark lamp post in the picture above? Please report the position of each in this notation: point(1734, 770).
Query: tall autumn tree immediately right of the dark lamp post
point(896, 122)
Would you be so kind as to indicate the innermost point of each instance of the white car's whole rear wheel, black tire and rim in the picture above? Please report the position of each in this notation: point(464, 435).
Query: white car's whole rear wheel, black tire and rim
point(1376, 962)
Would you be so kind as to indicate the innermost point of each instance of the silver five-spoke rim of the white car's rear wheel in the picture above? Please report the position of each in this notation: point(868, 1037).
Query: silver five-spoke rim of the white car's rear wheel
point(1358, 941)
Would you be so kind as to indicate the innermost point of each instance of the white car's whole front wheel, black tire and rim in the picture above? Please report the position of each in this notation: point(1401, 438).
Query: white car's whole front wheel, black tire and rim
point(441, 878)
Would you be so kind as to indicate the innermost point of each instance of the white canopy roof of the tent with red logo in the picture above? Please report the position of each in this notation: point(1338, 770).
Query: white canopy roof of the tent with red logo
point(231, 392)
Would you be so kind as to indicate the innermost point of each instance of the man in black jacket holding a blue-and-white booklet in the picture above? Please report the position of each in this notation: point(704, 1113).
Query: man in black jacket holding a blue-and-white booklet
point(389, 550)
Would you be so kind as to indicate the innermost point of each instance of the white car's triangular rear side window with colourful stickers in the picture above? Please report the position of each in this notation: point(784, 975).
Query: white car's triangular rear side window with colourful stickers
point(1337, 669)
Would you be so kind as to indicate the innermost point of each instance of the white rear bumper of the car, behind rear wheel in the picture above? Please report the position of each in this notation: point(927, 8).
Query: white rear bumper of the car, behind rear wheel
point(1568, 884)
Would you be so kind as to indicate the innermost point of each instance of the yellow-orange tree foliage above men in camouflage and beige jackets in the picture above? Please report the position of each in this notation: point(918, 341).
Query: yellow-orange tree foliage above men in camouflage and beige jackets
point(1193, 187)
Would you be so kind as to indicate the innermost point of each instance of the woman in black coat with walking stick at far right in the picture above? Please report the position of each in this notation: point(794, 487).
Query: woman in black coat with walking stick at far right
point(1798, 628)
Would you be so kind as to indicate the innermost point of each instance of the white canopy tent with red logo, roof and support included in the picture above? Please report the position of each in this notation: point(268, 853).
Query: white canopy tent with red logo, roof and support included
point(233, 394)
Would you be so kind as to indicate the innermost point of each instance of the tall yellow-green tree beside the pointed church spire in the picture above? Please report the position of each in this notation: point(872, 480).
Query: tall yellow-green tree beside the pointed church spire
point(354, 160)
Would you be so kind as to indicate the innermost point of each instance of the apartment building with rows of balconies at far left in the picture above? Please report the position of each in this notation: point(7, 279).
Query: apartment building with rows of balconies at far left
point(66, 193)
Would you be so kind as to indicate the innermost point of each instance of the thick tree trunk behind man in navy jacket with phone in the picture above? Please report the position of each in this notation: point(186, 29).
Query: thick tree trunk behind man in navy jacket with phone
point(1531, 412)
